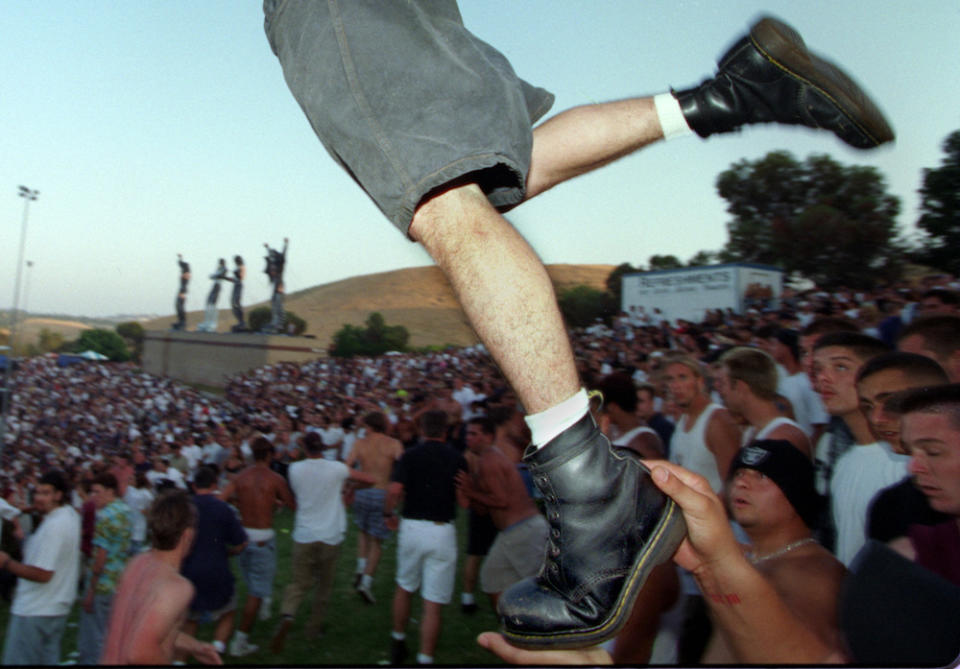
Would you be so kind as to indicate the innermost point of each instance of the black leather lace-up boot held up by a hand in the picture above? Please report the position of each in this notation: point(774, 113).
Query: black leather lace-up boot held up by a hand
point(609, 527)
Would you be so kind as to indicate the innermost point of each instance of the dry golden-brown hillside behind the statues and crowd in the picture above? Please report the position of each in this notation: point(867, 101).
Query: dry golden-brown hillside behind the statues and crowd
point(418, 298)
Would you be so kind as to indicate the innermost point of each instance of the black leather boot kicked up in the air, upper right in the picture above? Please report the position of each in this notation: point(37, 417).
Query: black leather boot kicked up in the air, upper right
point(769, 76)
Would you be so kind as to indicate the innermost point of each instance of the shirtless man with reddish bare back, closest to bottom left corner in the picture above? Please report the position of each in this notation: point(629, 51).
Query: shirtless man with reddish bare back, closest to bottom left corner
point(152, 599)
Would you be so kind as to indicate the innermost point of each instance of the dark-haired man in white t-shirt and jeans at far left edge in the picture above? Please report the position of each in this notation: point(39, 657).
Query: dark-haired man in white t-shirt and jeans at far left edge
point(48, 576)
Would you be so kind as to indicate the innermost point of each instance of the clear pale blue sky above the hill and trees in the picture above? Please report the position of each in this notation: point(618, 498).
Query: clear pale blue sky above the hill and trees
point(153, 127)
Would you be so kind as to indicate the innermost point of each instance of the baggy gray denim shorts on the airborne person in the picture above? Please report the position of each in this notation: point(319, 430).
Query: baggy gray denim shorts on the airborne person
point(406, 99)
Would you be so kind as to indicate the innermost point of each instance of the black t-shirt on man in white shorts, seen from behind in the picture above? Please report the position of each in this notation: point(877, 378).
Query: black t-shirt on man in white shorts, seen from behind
point(427, 473)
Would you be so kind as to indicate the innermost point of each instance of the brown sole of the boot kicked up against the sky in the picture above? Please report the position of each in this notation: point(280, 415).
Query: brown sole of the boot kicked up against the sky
point(784, 47)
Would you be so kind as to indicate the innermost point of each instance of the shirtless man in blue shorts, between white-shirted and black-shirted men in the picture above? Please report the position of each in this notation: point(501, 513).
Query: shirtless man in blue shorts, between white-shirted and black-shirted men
point(374, 454)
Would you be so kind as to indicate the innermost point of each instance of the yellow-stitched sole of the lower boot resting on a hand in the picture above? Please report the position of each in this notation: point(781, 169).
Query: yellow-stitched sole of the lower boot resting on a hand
point(666, 538)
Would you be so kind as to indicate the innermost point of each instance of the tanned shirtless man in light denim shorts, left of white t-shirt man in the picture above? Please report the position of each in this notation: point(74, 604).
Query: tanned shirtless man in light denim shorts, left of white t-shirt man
point(256, 492)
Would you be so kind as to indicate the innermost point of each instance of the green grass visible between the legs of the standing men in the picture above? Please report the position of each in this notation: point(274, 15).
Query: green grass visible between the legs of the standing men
point(356, 633)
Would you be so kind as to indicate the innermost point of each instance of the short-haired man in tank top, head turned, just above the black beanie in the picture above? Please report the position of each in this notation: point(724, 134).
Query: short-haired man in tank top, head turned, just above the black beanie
point(746, 380)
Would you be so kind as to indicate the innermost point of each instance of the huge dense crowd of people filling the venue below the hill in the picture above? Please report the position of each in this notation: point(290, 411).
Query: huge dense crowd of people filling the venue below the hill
point(790, 415)
